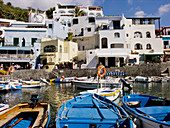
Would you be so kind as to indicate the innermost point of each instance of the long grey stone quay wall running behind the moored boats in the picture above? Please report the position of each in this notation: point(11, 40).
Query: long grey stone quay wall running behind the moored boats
point(136, 70)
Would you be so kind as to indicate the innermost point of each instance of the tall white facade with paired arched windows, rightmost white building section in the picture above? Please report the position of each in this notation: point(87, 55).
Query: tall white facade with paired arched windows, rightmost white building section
point(141, 38)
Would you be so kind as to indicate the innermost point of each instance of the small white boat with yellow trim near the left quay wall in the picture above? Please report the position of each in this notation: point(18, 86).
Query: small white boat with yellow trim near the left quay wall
point(31, 84)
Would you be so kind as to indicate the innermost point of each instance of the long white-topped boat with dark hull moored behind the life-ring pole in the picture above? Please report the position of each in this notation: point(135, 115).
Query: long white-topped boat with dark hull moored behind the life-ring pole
point(91, 83)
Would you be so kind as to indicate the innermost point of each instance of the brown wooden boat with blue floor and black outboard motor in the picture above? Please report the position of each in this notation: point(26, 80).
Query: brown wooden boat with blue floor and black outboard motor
point(27, 115)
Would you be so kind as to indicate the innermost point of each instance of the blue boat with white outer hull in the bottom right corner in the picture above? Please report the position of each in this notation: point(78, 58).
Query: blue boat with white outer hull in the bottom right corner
point(147, 111)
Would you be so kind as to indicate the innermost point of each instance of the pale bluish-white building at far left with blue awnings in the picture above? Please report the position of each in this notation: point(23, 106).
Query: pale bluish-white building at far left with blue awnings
point(25, 38)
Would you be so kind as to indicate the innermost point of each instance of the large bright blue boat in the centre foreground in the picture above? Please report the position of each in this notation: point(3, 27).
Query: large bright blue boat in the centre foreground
point(92, 111)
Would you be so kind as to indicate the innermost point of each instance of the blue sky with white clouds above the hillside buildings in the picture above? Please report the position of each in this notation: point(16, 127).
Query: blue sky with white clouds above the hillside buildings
point(130, 8)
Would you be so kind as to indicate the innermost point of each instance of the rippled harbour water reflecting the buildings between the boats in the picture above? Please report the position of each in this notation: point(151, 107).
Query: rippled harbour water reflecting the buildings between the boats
point(58, 94)
